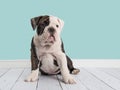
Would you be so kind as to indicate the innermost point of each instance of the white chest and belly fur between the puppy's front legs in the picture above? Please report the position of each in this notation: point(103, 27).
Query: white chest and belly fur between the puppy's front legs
point(46, 57)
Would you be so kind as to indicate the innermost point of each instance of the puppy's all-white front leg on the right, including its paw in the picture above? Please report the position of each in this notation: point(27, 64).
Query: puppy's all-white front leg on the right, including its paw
point(62, 61)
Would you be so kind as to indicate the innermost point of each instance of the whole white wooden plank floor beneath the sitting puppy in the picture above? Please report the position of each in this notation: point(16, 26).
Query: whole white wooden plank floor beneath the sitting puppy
point(87, 79)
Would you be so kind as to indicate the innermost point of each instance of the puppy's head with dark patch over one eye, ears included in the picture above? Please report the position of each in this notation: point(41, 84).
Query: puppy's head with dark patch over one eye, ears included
point(48, 28)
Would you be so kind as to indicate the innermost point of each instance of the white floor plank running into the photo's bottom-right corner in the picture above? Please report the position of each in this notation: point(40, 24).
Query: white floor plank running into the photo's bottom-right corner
point(108, 79)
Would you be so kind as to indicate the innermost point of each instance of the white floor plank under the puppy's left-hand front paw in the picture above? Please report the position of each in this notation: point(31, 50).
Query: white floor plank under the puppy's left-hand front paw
point(22, 85)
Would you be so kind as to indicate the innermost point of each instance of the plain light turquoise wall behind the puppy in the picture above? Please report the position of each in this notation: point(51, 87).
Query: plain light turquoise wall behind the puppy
point(92, 27)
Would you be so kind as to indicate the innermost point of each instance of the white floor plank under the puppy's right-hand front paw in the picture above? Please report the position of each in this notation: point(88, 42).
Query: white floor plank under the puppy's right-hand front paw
point(77, 86)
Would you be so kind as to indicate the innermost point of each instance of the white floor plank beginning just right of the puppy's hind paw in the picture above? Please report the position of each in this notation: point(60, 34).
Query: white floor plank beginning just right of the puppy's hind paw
point(91, 82)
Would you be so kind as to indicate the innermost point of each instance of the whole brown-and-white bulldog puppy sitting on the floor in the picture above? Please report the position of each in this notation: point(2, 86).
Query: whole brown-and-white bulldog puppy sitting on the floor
point(47, 50)
